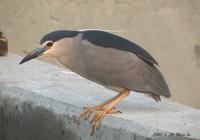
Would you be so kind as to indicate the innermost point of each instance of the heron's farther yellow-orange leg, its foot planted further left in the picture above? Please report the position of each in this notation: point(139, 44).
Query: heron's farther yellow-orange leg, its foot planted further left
point(88, 110)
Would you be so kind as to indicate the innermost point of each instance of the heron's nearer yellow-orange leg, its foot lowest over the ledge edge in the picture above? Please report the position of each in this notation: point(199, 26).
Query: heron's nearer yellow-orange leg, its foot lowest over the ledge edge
point(100, 115)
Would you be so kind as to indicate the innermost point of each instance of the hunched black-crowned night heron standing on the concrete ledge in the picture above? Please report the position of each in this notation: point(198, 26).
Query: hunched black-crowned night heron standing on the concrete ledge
point(107, 59)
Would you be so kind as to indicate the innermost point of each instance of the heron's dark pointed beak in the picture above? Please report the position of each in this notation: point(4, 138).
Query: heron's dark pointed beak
point(35, 53)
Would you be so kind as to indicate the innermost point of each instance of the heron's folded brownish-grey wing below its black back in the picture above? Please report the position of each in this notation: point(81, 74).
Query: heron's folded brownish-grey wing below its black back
point(111, 67)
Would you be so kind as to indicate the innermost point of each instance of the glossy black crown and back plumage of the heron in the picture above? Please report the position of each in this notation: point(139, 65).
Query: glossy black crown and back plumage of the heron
point(102, 39)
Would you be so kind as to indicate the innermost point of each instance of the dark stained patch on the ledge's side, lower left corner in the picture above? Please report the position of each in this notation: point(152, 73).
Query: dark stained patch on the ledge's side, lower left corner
point(31, 123)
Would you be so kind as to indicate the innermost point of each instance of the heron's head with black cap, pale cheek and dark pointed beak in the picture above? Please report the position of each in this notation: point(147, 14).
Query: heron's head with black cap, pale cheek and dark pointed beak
point(52, 44)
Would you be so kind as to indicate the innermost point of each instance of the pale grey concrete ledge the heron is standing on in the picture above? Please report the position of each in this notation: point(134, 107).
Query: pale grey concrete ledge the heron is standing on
point(39, 101)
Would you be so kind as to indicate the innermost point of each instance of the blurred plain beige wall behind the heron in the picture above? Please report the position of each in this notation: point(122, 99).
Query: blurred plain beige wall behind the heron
point(168, 29)
